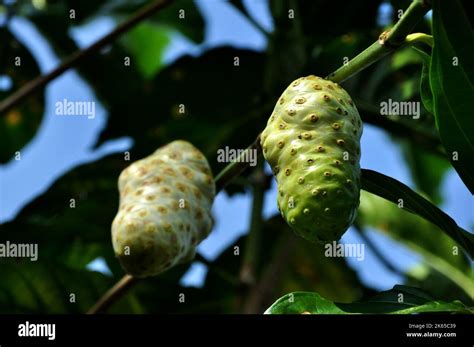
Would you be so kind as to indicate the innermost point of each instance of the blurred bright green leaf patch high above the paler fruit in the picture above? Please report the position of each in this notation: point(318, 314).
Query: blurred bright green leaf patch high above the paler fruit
point(147, 43)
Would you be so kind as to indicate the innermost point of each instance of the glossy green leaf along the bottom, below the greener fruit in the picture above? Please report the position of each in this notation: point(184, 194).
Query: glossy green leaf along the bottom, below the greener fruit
point(399, 300)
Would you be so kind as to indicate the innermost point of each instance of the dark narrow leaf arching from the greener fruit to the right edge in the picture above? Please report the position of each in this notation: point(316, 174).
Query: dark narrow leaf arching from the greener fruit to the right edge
point(393, 190)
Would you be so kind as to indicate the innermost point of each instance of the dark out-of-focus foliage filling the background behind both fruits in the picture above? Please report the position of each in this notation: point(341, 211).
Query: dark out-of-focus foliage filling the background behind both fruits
point(225, 106)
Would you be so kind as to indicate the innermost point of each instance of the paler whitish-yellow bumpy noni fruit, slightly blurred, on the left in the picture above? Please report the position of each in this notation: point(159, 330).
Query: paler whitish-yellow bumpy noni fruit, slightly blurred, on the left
point(165, 209)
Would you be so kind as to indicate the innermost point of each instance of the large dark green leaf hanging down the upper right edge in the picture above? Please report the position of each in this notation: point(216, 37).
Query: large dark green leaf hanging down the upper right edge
point(452, 84)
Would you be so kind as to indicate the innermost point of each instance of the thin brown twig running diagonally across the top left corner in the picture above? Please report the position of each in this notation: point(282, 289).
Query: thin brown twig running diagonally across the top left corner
point(41, 81)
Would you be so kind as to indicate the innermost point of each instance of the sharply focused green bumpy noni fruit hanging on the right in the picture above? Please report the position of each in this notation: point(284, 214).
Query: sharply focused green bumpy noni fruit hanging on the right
point(312, 143)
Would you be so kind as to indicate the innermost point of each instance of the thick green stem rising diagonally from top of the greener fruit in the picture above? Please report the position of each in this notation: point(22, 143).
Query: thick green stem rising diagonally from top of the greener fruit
point(388, 42)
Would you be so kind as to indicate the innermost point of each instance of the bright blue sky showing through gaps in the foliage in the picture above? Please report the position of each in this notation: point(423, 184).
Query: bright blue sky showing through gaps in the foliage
point(59, 145)
